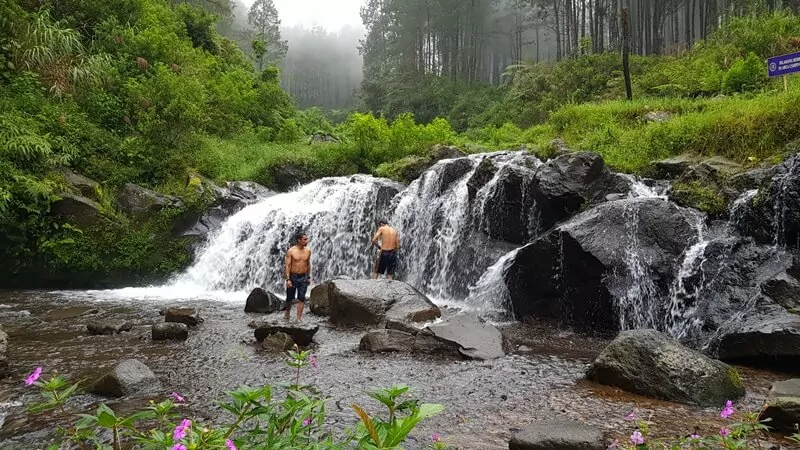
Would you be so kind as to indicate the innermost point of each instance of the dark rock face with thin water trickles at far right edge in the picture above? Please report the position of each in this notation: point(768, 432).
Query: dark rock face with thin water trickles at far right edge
point(773, 215)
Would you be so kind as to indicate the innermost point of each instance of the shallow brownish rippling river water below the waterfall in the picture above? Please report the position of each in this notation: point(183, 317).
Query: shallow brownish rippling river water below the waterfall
point(485, 401)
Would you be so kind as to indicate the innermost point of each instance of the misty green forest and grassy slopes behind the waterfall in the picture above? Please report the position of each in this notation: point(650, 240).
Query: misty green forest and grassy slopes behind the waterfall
point(163, 94)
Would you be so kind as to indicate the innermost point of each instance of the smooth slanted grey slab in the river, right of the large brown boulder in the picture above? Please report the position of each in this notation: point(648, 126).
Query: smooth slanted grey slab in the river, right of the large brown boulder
point(473, 337)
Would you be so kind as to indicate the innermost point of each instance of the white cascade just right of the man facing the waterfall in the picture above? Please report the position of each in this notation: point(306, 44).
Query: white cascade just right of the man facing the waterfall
point(443, 251)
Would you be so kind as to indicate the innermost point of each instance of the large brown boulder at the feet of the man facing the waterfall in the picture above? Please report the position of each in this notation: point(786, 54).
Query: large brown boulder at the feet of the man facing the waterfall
point(371, 302)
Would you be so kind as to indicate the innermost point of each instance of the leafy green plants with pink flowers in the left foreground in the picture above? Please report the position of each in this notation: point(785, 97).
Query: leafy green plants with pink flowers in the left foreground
point(259, 418)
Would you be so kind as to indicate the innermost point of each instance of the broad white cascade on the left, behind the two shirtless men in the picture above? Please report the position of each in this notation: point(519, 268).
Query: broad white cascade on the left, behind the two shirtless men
point(338, 214)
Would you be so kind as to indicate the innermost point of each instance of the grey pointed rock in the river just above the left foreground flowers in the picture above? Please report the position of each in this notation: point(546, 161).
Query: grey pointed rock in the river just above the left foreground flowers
point(129, 377)
